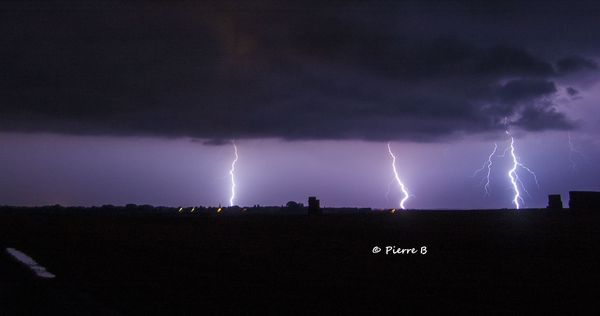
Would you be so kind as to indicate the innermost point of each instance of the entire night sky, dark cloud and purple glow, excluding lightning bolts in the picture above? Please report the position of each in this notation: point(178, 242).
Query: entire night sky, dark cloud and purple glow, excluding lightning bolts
point(115, 103)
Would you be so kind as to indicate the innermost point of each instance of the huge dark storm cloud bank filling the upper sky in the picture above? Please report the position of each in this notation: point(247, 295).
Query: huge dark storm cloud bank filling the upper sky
point(304, 71)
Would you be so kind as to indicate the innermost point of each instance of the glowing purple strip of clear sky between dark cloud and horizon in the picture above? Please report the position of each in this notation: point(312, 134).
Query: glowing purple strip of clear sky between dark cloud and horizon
point(40, 169)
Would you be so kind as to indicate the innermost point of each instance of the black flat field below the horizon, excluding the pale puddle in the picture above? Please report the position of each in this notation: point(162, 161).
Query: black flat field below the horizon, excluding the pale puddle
point(503, 261)
